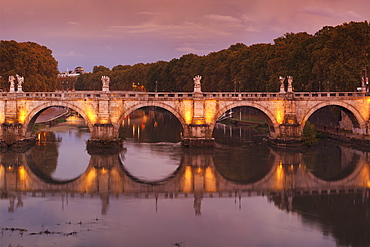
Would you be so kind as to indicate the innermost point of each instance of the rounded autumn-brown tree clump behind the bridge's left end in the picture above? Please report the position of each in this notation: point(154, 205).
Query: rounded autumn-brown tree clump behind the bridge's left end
point(30, 60)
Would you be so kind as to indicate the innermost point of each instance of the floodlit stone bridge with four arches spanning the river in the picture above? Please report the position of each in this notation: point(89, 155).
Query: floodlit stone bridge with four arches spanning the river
point(198, 112)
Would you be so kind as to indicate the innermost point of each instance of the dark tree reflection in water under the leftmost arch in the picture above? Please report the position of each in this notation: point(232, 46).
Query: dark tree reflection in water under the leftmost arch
point(45, 154)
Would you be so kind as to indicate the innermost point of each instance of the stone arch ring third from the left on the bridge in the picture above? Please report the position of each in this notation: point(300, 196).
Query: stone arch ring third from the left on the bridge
point(270, 117)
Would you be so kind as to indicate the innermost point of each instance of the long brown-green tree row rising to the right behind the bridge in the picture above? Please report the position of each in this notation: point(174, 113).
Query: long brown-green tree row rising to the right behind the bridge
point(332, 59)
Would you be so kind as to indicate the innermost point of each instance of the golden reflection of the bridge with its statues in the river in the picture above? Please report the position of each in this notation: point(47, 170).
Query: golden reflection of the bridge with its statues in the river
point(197, 175)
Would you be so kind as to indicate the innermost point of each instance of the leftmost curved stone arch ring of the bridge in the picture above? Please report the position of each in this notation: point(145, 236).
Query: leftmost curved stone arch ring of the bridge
point(35, 112)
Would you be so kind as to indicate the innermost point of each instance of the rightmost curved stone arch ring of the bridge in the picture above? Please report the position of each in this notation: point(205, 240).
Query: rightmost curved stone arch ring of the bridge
point(361, 123)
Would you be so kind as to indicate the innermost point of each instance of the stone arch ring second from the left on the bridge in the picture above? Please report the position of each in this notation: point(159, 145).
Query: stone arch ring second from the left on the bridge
point(165, 106)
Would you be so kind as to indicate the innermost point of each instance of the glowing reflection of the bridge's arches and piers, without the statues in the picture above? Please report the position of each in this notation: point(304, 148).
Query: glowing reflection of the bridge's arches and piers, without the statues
point(105, 172)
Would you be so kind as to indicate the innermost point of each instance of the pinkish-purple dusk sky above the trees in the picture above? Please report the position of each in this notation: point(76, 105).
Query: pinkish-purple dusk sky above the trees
point(90, 33)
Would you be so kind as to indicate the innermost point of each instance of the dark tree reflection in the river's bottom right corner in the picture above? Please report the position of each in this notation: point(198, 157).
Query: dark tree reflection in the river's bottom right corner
point(346, 217)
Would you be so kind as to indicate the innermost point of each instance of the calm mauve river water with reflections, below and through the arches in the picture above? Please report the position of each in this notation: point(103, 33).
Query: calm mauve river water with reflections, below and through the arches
point(155, 193)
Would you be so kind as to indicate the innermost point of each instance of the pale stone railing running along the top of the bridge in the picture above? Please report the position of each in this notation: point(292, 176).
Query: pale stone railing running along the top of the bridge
point(167, 95)
